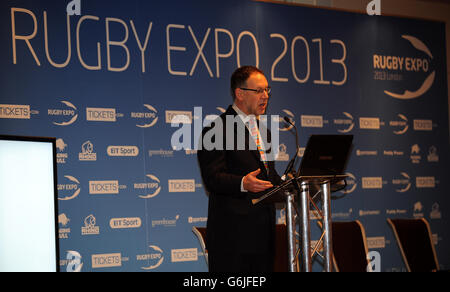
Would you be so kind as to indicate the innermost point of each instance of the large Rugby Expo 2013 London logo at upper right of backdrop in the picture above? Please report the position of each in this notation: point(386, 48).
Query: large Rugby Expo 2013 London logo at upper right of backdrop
point(394, 68)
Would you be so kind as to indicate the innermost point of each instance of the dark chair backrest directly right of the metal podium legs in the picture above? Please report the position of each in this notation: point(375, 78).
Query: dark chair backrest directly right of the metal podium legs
point(349, 247)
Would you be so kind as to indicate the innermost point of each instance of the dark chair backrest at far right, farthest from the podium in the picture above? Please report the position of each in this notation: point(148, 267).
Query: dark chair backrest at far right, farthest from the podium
point(416, 245)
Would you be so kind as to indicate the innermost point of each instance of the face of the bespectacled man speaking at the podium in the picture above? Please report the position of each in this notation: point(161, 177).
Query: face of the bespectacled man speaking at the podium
point(254, 103)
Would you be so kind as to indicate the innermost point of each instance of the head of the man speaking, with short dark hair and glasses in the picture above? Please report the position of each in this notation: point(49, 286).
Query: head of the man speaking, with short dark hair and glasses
point(250, 90)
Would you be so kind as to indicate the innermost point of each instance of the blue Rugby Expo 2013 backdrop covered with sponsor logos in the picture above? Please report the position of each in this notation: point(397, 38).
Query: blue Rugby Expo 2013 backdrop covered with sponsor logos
point(107, 83)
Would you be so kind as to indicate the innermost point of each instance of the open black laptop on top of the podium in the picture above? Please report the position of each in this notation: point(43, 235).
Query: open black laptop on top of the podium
point(325, 155)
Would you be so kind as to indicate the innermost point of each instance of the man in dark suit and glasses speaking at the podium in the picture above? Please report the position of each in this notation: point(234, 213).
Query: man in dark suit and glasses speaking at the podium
point(240, 235)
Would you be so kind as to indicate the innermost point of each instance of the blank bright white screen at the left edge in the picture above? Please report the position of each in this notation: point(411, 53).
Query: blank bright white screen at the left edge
point(27, 208)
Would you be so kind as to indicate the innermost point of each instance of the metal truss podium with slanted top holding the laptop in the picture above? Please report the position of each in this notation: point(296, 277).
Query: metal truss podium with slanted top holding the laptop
point(299, 187)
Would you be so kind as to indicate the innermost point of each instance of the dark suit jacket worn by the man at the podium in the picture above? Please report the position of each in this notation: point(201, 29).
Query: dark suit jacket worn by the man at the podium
point(234, 223)
